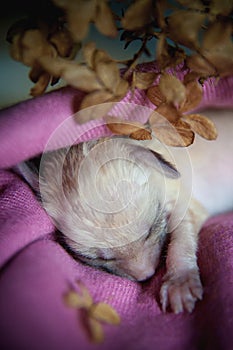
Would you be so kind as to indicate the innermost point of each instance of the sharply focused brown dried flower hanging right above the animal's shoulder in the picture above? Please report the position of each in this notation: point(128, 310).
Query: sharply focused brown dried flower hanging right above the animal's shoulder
point(173, 98)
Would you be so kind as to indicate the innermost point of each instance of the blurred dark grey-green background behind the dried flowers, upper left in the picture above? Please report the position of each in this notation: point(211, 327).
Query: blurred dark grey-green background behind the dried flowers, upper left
point(14, 82)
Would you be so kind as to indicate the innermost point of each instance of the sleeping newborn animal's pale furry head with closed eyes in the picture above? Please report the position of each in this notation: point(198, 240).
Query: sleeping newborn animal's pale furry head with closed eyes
point(108, 199)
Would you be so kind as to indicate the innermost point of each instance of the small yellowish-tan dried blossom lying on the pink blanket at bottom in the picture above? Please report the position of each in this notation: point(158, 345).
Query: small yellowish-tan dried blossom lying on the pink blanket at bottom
point(93, 315)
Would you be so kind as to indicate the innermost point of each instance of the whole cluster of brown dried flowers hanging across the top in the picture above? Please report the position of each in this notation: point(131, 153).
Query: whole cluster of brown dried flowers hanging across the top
point(197, 34)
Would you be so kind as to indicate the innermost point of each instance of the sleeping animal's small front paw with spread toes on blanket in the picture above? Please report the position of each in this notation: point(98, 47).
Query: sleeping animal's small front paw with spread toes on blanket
point(181, 291)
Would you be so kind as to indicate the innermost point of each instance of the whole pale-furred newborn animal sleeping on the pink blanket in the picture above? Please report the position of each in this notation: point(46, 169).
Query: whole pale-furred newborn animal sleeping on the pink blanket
point(117, 200)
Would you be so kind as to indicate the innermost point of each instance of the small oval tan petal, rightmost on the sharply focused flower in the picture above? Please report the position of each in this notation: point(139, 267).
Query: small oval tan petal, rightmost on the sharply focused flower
point(202, 126)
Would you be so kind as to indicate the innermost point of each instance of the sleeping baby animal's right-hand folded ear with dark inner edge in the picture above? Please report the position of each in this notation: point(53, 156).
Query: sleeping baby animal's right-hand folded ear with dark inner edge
point(155, 160)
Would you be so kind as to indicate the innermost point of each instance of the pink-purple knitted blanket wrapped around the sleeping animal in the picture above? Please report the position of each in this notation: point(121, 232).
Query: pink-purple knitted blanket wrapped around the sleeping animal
point(36, 270)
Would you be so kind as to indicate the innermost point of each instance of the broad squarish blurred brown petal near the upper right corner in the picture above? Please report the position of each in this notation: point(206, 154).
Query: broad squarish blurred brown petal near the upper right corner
point(184, 27)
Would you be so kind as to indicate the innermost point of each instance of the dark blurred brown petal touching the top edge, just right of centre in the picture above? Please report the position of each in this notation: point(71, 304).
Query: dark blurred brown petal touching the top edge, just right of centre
point(138, 15)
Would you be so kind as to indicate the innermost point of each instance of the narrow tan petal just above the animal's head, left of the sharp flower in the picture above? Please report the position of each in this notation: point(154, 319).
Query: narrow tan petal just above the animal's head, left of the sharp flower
point(122, 127)
